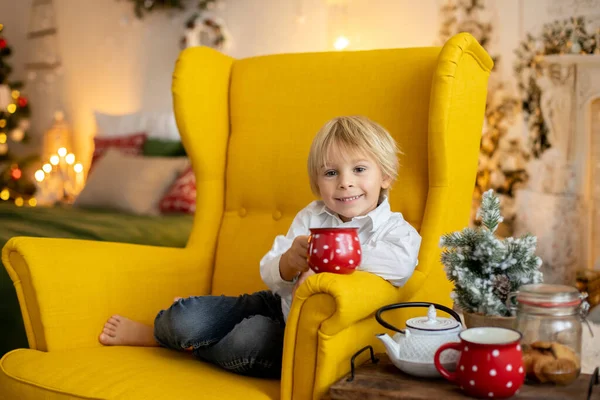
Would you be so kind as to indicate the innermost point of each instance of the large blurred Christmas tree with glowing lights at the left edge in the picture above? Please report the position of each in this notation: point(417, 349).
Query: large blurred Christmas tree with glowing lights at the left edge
point(14, 124)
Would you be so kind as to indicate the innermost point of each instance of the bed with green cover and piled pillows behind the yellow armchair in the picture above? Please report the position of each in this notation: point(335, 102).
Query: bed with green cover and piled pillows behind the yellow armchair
point(140, 189)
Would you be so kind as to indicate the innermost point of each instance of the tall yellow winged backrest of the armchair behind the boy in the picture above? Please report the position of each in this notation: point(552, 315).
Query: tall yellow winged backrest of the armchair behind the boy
point(248, 125)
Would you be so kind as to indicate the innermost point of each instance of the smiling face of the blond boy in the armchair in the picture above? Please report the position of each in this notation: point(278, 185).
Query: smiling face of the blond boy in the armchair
point(350, 183)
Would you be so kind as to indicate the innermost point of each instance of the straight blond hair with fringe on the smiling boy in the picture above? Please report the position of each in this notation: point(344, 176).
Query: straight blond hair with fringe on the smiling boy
point(354, 134)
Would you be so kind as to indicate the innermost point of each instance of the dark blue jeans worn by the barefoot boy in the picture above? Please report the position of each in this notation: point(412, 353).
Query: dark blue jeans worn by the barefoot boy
point(241, 334)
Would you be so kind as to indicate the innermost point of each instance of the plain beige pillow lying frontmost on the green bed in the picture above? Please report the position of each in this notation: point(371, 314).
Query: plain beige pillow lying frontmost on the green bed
point(130, 183)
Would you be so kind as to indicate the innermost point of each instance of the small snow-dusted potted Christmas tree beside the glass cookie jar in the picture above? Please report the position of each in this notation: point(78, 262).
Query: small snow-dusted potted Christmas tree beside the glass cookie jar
point(485, 269)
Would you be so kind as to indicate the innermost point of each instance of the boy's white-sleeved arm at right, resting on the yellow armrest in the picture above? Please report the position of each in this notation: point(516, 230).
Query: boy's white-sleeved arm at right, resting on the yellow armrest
point(393, 256)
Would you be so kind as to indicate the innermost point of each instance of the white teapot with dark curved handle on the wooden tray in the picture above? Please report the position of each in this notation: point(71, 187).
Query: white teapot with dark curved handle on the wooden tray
point(412, 349)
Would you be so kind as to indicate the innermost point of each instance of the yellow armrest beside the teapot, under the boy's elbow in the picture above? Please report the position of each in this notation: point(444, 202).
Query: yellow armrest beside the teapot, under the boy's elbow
point(331, 317)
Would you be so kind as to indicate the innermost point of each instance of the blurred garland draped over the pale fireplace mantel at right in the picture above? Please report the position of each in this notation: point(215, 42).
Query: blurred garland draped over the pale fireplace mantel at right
point(558, 37)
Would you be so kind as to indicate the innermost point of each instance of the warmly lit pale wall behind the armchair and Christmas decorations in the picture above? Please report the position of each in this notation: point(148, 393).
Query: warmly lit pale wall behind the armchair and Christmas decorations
point(114, 63)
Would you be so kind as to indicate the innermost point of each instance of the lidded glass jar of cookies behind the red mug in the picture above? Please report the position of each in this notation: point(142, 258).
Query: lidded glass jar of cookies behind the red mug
point(550, 319)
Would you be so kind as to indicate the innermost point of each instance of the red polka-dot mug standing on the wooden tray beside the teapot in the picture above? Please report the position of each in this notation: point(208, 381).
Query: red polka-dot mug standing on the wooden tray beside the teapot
point(490, 363)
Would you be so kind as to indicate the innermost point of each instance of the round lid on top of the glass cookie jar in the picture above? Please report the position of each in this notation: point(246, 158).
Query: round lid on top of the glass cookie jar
point(548, 295)
